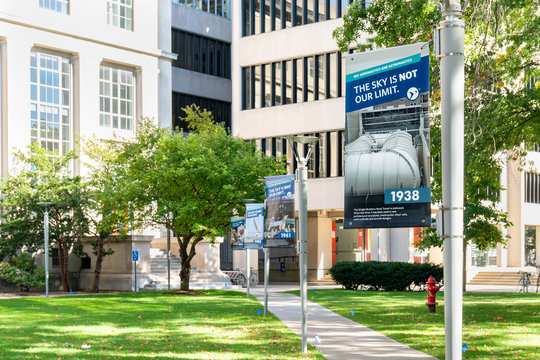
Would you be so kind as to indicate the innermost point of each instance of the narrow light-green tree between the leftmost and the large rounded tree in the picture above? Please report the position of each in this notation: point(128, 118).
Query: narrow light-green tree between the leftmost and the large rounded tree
point(106, 208)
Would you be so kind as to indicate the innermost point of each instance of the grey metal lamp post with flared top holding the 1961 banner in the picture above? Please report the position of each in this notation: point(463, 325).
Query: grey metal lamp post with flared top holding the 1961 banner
point(302, 220)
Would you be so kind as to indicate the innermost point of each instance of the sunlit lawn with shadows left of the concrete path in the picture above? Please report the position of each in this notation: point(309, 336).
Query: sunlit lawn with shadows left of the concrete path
point(217, 325)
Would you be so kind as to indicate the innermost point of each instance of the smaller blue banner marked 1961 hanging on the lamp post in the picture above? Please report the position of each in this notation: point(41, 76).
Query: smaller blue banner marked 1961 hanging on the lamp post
point(279, 227)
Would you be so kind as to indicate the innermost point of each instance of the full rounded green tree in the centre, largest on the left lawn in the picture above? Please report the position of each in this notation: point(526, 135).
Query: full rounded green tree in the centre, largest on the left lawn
point(191, 184)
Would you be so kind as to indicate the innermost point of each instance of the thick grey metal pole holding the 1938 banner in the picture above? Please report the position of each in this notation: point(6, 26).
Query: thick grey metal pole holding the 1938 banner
point(452, 32)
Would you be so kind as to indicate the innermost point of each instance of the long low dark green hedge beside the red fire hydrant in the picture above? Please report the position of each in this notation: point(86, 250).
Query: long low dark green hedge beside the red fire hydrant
point(390, 276)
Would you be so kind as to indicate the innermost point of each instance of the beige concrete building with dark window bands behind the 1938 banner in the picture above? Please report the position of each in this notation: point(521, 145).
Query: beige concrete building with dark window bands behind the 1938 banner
point(288, 79)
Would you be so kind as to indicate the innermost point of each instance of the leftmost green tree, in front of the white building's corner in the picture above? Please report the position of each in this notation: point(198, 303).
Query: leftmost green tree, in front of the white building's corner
point(43, 176)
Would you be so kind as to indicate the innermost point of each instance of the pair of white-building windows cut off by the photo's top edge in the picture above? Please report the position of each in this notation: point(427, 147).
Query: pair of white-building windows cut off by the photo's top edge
point(119, 12)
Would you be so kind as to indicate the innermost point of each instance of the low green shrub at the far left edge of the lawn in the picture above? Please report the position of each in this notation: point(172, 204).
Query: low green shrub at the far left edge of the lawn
point(22, 271)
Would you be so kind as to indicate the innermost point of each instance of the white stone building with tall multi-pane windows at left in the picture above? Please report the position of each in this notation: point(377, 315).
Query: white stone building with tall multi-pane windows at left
point(73, 69)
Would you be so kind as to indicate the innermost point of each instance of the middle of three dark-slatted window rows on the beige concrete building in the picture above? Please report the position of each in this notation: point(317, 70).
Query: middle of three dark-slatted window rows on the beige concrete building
point(293, 81)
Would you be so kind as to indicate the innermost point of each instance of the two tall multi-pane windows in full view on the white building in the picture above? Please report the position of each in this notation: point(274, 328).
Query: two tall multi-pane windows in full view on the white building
point(51, 99)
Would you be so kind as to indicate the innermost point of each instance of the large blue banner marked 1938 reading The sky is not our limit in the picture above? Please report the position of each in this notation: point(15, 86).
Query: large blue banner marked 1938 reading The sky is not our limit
point(387, 158)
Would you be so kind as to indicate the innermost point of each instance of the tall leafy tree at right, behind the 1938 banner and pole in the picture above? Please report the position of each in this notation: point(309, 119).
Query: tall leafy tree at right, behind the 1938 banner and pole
point(502, 102)
